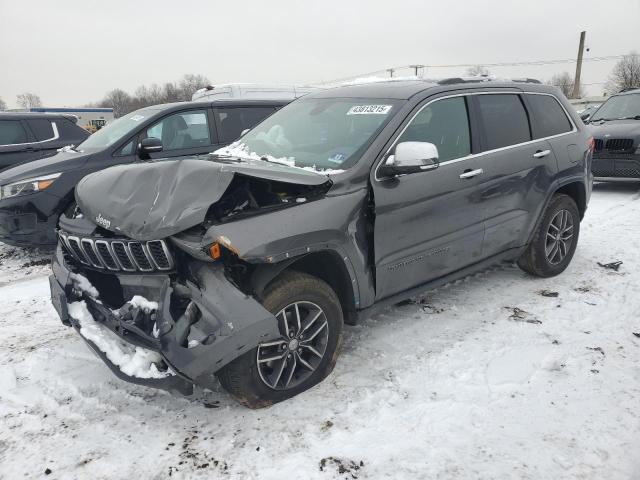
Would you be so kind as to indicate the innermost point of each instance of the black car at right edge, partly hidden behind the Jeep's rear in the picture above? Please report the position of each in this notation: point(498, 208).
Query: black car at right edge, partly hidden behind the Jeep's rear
point(616, 131)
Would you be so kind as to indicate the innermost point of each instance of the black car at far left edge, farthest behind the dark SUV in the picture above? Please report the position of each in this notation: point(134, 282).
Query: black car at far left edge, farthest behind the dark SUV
point(25, 137)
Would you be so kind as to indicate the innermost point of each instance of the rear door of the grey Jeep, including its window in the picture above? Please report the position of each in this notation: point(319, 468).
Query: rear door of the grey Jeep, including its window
point(517, 170)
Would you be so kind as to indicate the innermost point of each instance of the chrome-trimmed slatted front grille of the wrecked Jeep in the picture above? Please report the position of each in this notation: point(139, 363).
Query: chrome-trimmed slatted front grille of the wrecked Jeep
point(118, 254)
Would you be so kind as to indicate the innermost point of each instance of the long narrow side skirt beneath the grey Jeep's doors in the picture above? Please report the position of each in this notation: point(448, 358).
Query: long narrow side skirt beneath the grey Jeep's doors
point(509, 255)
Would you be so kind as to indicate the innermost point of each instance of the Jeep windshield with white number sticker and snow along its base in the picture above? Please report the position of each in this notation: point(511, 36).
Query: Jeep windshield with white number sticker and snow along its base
point(323, 134)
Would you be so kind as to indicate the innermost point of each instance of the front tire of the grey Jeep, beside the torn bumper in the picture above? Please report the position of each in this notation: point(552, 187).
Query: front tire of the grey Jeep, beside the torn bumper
point(242, 378)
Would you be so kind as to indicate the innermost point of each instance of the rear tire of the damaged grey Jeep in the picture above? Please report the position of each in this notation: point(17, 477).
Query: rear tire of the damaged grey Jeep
point(535, 260)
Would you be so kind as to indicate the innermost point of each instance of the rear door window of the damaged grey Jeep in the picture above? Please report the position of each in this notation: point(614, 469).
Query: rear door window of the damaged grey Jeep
point(505, 120)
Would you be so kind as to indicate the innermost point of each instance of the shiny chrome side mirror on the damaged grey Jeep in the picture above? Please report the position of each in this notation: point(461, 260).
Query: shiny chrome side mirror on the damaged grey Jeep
point(410, 157)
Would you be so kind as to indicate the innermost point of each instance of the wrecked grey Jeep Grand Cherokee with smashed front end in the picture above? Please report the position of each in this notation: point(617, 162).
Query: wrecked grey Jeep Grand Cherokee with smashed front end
point(245, 265)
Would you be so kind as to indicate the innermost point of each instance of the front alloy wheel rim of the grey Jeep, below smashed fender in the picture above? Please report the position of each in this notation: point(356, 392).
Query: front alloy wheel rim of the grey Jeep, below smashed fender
point(288, 361)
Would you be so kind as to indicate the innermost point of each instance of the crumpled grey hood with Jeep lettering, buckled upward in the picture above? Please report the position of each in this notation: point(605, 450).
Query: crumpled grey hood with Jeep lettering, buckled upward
point(154, 200)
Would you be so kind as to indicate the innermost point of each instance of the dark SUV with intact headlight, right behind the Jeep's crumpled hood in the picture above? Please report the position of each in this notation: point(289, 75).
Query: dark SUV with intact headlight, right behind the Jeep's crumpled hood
point(33, 195)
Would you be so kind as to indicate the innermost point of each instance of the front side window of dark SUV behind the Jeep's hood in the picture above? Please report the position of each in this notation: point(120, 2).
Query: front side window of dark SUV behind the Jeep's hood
point(182, 130)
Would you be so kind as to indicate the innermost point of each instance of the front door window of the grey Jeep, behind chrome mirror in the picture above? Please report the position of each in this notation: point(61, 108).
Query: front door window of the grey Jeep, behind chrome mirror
point(445, 123)
